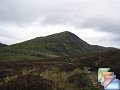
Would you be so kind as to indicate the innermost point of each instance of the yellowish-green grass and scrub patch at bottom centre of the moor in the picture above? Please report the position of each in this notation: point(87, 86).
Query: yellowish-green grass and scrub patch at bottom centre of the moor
point(73, 80)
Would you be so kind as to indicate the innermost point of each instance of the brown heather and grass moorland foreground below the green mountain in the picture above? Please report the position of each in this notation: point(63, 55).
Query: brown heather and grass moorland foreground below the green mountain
point(62, 73)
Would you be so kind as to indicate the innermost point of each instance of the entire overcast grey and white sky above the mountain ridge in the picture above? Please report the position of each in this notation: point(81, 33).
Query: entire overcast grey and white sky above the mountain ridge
point(95, 21)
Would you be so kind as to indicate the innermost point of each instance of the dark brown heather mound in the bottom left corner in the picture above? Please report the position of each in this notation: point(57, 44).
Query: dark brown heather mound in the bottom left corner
point(28, 82)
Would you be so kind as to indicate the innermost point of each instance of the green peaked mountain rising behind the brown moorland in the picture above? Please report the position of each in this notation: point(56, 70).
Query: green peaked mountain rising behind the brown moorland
point(55, 45)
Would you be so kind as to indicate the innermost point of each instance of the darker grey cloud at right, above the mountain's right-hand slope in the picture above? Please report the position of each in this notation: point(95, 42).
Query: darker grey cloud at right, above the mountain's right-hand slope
point(103, 24)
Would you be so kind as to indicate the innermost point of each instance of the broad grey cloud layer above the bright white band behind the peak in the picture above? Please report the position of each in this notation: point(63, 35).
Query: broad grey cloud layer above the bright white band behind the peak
point(102, 15)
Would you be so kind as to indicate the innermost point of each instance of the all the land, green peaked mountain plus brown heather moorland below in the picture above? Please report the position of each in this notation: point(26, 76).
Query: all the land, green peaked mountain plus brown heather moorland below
point(60, 61)
